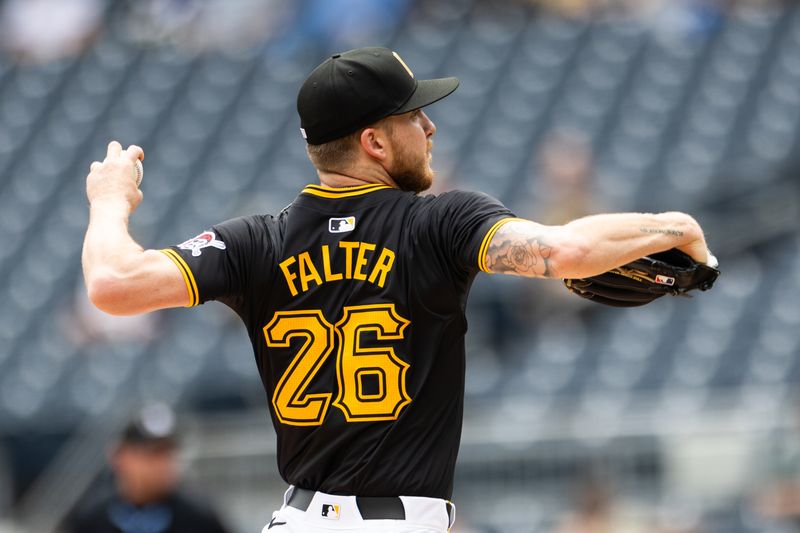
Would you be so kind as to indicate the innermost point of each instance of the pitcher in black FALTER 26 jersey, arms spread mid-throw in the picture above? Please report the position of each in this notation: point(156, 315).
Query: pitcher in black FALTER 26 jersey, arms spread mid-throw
point(354, 295)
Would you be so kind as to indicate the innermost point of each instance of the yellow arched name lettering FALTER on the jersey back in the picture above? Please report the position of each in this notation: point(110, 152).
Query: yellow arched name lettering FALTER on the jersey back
point(361, 262)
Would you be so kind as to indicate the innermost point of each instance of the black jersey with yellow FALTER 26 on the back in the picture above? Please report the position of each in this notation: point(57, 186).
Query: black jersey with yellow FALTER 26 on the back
point(354, 300)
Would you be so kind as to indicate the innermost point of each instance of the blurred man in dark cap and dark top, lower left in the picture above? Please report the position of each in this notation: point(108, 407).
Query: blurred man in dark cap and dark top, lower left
point(146, 499)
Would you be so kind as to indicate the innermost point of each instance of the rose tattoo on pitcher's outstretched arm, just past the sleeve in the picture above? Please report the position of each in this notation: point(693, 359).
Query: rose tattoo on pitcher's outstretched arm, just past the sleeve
point(512, 252)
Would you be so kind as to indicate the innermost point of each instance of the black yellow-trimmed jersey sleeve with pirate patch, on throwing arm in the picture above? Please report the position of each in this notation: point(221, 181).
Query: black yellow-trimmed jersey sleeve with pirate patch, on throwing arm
point(217, 264)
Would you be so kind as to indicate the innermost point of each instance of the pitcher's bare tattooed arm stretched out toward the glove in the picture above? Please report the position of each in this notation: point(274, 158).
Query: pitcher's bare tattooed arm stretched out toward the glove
point(591, 245)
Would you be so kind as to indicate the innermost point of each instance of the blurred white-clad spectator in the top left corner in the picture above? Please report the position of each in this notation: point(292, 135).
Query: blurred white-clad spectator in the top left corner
point(38, 31)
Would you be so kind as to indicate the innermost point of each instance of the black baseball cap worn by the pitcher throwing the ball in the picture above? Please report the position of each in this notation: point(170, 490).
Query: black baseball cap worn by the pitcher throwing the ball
point(354, 89)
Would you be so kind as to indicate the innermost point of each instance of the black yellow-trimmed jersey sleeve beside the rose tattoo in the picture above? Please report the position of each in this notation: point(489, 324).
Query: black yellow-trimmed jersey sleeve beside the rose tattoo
point(463, 223)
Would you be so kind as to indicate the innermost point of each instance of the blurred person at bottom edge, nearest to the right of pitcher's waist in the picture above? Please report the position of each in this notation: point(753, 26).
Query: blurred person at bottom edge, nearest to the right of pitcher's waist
point(595, 512)
